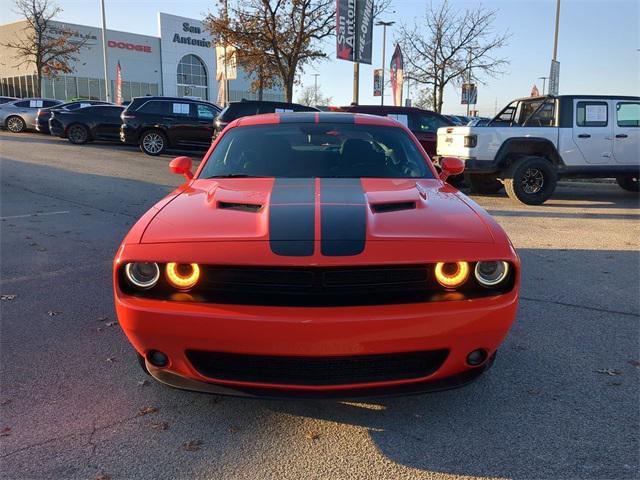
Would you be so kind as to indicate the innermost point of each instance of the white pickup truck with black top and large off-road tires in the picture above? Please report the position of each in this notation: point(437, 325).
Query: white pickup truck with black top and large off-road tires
point(535, 140)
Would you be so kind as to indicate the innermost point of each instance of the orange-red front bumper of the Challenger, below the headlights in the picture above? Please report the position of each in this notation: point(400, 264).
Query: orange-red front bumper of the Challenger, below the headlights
point(457, 326)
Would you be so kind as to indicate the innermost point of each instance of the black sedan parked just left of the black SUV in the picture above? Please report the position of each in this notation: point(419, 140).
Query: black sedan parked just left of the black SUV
point(82, 125)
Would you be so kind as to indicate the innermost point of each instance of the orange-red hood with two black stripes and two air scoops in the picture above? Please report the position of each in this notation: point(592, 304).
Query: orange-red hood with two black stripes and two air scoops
point(341, 210)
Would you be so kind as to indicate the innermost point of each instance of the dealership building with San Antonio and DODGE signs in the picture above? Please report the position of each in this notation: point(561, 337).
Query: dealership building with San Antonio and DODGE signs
point(180, 61)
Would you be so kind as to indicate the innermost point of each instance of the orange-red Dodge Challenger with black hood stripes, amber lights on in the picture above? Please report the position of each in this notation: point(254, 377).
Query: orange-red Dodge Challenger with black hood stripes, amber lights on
point(316, 254)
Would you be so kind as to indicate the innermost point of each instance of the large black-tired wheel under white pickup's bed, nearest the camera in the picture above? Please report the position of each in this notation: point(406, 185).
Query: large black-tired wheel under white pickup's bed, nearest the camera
point(530, 180)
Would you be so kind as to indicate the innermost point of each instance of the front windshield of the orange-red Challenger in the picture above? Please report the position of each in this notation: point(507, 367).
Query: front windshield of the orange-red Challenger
point(308, 150)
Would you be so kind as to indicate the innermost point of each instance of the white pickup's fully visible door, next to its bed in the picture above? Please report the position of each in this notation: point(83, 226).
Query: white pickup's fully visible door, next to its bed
point(593, 130)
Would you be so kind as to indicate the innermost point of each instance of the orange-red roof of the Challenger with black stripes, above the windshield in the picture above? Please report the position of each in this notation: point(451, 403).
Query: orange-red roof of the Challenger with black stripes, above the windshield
point(316, 117)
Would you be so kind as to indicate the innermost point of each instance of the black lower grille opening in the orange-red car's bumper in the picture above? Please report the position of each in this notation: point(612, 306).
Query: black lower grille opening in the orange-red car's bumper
point(316, 370)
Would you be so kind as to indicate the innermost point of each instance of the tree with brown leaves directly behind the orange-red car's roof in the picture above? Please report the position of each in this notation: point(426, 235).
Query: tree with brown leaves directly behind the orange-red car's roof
point(276, 37)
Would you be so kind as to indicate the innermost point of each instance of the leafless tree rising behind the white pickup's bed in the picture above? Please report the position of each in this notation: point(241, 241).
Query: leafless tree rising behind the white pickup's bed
point(447, 46)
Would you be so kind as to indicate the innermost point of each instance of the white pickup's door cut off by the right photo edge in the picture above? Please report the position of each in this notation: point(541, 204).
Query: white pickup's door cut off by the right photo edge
point(626, 129)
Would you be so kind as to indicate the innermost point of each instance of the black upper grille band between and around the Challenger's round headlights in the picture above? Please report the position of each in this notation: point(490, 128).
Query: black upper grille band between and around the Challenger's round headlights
point(316, 286)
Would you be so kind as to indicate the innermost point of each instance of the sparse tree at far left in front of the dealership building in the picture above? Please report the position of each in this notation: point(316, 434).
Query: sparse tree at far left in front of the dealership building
point(52, 51)
